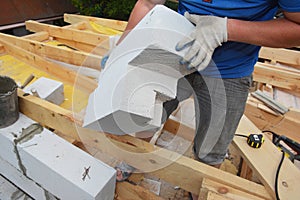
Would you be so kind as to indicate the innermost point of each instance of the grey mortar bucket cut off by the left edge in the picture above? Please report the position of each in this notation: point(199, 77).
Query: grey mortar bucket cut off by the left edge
point(9, 107)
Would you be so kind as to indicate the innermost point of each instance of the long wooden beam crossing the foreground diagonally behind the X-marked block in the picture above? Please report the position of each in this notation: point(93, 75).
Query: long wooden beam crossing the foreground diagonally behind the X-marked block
point(167, 165)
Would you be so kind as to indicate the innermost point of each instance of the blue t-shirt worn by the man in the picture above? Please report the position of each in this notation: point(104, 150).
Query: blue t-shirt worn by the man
point(235, 59)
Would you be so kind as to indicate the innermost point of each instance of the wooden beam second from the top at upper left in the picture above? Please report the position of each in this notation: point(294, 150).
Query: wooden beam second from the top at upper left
point(70, 34)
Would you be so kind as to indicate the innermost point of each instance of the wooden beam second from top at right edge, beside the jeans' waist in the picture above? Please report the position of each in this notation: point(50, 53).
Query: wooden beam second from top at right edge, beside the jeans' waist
point(277, 76)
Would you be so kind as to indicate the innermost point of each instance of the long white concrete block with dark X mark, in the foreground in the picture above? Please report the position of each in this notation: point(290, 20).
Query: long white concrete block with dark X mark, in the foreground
point(54, 164)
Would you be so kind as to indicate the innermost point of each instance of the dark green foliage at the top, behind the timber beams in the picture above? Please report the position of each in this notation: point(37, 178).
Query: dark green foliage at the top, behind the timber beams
point(114, 9)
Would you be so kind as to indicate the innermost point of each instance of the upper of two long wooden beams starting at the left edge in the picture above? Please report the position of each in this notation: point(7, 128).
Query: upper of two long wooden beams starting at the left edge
point(54, 52)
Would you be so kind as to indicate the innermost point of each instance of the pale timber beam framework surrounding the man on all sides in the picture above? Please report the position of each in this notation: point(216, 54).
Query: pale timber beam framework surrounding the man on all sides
point(81, 45)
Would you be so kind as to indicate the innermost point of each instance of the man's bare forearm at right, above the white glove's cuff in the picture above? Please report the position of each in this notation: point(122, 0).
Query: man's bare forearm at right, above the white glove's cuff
point(283, 32)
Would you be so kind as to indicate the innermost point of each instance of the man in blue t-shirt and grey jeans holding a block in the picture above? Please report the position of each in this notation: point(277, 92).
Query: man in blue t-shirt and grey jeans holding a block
point(224, 48)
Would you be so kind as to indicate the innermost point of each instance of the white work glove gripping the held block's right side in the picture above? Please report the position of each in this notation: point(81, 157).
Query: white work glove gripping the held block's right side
point(209, 33)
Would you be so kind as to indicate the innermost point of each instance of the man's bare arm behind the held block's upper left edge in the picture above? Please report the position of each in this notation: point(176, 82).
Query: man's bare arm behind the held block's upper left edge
point(141, 8)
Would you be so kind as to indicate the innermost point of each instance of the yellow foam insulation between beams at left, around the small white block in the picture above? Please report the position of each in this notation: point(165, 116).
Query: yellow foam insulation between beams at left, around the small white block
point(75, 99)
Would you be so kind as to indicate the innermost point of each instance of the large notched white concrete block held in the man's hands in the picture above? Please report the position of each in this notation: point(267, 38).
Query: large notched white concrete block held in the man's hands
point(142, 66)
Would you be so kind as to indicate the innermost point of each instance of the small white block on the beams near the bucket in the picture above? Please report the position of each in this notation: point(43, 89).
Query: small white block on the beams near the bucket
point(47, 89)
